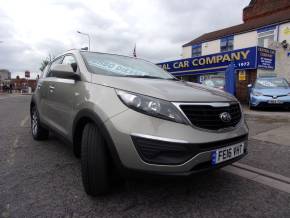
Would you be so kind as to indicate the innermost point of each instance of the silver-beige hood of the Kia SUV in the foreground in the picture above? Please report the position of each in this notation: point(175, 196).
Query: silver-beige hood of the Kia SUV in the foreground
point(169, 90)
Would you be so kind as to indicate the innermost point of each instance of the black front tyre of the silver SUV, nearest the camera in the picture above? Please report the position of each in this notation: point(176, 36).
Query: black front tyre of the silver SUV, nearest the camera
point(94, 161)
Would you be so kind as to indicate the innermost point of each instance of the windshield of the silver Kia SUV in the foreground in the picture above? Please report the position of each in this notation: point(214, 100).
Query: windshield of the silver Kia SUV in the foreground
point(116, 65)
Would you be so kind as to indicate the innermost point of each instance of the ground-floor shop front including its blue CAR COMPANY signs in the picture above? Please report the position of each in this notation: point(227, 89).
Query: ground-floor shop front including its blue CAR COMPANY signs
point(210, 69)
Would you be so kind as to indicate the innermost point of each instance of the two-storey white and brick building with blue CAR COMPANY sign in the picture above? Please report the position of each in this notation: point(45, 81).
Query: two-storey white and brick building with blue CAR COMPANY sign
point(258, 47)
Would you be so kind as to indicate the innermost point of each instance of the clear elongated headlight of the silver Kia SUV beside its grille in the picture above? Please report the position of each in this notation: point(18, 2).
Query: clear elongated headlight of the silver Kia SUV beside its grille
point(151, 106)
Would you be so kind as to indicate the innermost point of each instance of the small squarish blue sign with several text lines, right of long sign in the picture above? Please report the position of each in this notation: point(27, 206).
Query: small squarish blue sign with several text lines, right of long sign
point(265, 58)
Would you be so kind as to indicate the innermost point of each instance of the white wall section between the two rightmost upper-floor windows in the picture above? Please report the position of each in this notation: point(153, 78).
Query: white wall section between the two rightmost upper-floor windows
point(245, 40)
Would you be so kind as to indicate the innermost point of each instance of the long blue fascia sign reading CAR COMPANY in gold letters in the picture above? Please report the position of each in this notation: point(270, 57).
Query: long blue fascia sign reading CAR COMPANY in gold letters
point(242, 59)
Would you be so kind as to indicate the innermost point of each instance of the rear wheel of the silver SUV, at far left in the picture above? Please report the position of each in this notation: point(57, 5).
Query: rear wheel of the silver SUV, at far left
point(38, 131)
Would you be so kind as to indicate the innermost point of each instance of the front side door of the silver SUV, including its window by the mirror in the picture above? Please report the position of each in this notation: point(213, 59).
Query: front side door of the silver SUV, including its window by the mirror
point(62, 96)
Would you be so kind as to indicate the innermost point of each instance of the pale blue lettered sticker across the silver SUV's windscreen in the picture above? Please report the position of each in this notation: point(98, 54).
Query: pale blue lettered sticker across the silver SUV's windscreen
point(116, 68)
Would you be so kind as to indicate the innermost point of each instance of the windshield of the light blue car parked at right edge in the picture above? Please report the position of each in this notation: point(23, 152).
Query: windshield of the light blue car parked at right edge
point(271, 83)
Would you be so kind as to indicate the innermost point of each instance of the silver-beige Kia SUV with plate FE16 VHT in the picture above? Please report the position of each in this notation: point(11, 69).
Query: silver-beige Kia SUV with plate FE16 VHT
point(127, 115)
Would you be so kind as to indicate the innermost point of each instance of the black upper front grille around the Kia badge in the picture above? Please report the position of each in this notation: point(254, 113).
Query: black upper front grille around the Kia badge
point(208, 116)
